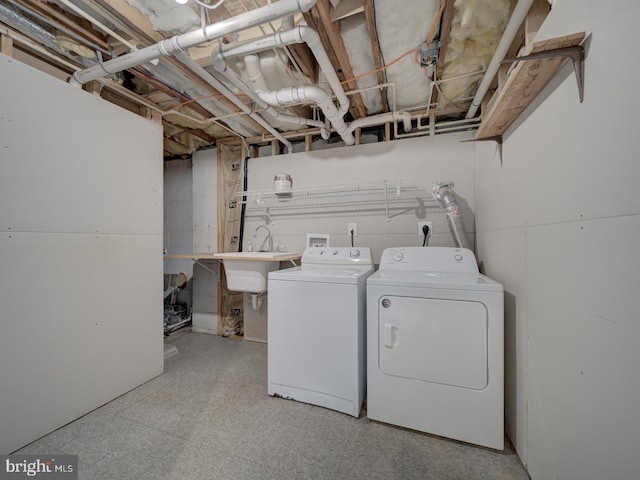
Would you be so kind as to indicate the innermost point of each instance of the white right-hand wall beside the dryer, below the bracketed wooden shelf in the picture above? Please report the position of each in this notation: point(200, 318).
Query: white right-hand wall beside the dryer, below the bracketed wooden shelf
point(558, 223)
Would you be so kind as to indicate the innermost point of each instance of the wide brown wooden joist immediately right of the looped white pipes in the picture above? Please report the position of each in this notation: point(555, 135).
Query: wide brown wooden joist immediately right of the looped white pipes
point(319, 18)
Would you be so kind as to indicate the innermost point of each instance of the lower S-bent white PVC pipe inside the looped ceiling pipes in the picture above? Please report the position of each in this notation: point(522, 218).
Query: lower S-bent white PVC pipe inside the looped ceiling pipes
point(302, 93)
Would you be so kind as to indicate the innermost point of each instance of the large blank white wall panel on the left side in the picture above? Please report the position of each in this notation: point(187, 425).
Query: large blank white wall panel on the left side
point(81, 253)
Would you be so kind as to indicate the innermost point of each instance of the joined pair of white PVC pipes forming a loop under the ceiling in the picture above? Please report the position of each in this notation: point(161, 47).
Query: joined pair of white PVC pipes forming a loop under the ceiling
point(291, 95)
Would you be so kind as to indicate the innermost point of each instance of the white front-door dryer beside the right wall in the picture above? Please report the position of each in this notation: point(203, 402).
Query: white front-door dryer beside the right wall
point(435, 353)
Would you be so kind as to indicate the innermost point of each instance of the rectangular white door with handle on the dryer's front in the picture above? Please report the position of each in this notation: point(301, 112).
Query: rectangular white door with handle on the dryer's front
point(439, 341)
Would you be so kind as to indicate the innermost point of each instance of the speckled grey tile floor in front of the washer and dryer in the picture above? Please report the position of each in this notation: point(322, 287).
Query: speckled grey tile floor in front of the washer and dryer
point(209, 417)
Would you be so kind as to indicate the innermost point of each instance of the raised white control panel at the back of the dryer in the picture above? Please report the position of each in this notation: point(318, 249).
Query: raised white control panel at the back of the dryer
point(429, 259)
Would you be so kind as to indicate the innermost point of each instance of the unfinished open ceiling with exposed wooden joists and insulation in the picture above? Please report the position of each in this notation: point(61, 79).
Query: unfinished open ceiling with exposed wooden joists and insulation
point(377, 42)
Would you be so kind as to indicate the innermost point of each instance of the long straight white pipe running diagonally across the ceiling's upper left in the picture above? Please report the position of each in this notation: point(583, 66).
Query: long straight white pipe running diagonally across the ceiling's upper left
point(180, 43)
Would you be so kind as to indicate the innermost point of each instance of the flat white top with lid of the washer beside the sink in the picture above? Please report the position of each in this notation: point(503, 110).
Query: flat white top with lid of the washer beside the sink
point(312, 273)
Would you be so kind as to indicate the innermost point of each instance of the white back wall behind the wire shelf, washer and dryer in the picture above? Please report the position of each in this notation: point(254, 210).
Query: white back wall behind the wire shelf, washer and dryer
point(427, 159)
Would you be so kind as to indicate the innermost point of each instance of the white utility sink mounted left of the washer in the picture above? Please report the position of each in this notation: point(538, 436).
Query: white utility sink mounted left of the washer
point(249, 271)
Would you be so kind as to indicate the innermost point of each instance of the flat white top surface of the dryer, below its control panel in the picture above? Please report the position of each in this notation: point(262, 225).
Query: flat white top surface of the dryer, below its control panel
point(448, 280)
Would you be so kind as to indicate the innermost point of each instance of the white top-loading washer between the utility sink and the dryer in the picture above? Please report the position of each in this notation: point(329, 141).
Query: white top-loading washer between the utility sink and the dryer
point(317, 323)
